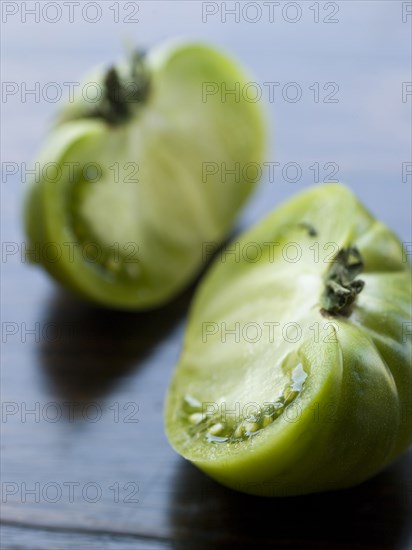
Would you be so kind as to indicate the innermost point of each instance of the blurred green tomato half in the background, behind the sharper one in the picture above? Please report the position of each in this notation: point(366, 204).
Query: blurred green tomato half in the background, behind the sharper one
point(137, 198)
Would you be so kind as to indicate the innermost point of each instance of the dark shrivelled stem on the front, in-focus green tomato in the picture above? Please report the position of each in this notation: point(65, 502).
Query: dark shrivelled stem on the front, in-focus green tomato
point(341, 285)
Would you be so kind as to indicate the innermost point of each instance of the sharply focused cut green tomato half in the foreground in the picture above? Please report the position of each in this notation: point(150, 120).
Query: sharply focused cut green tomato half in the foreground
point(275, 394)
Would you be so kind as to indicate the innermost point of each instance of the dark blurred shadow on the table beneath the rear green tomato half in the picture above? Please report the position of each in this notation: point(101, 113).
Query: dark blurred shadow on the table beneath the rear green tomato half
point(87, 349)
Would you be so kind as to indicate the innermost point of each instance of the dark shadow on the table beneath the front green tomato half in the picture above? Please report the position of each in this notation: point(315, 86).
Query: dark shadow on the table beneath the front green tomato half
point(375, 514)
